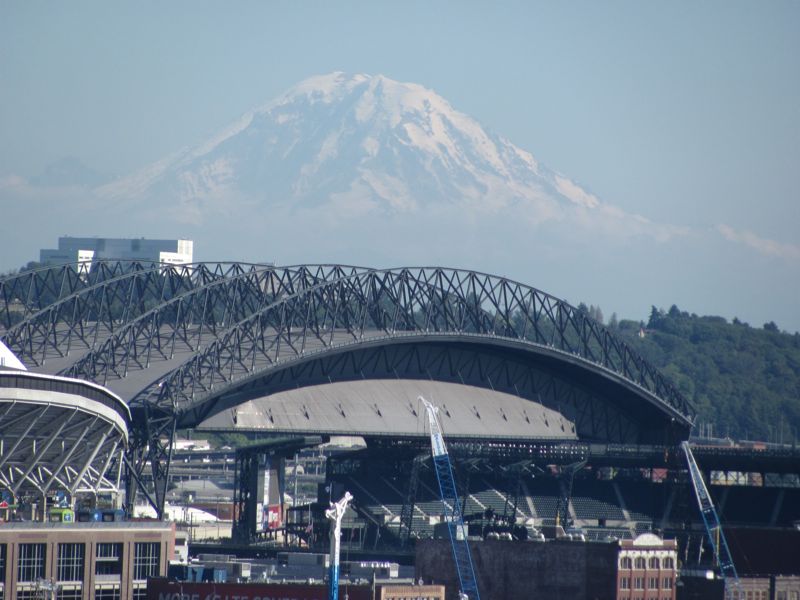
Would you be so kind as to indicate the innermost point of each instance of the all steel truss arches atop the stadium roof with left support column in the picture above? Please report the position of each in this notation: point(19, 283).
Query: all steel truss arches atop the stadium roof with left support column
point(220, 326)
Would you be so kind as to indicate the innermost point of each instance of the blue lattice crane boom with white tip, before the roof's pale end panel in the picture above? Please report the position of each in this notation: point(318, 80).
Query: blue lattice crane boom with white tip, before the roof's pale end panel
point(452, 508)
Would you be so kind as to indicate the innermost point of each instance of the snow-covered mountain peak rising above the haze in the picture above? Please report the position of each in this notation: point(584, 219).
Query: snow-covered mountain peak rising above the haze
point(353, 144)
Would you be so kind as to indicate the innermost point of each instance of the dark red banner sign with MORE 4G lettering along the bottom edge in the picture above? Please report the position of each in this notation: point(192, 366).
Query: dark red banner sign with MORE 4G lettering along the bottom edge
point(163, 589)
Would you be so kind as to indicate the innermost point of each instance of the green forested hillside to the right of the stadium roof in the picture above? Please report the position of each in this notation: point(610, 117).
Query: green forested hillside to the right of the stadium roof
point(744, 381)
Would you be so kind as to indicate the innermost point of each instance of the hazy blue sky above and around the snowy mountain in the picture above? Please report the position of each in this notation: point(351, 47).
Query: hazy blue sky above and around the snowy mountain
point(687, 113)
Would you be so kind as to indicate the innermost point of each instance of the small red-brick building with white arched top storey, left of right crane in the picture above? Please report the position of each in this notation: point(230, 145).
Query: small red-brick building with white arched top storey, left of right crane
point(647, 569)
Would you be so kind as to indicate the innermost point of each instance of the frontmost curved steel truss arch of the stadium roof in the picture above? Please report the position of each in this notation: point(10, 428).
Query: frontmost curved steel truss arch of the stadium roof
point(394, 303)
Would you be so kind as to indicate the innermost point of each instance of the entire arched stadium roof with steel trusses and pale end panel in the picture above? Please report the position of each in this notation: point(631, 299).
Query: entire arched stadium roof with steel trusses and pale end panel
point(200, 343)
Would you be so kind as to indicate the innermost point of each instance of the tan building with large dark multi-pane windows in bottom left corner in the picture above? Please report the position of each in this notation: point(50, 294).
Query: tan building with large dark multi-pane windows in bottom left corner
point(82, 561)
